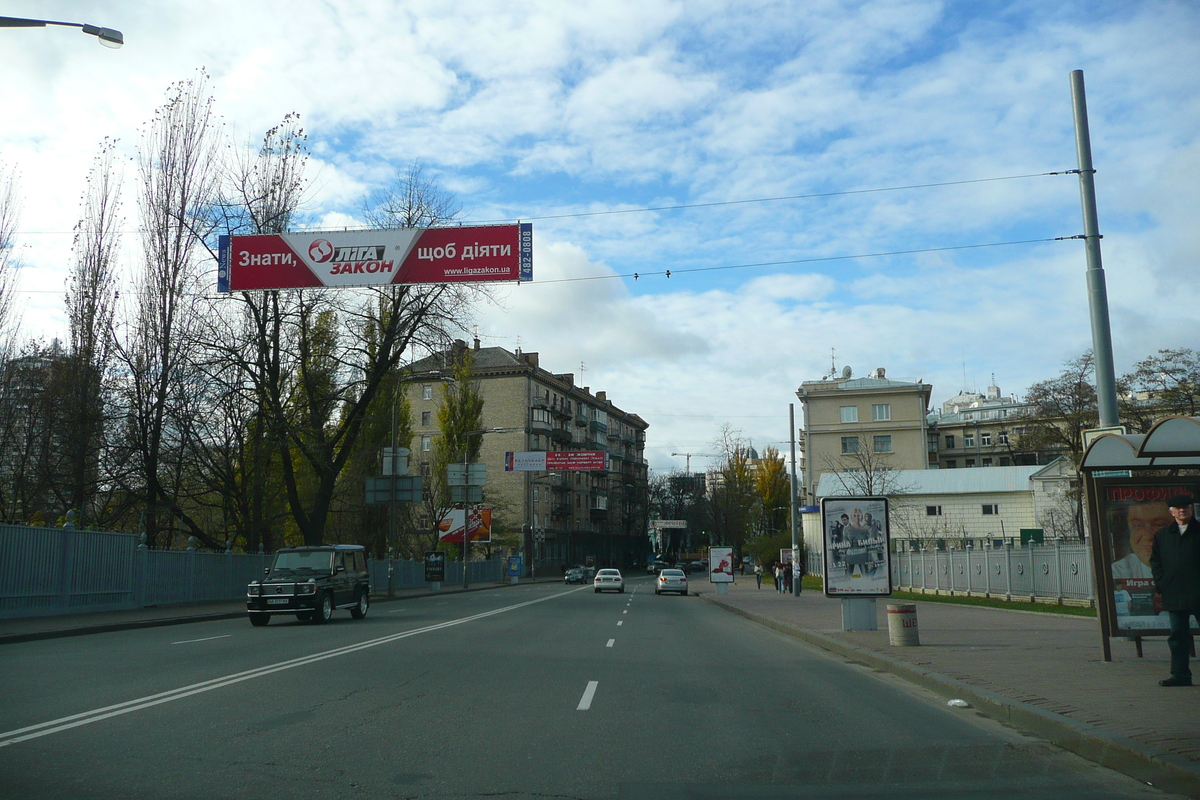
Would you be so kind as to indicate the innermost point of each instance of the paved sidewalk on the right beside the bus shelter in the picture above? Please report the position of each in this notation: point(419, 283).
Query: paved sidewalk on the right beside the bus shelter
point(1042, 673)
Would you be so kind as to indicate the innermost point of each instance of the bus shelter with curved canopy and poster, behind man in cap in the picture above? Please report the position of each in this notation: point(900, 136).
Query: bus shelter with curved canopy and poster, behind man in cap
point(1127, 480)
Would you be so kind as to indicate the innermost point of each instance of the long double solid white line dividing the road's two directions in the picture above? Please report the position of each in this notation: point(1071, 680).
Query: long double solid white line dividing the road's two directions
point(97, 715)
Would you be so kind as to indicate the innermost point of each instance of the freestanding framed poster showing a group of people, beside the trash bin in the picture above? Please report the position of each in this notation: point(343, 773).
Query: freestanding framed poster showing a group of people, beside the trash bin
point(857, 561)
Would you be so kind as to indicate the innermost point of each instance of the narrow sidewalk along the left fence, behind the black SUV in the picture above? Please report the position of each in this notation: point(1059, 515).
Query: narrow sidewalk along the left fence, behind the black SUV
point(28, 629)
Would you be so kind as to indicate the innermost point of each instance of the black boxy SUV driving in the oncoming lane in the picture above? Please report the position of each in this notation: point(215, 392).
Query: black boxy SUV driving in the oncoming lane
point(311, 582)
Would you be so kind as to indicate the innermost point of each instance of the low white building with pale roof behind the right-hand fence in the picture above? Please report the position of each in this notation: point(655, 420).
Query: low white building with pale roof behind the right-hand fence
point(935, 508)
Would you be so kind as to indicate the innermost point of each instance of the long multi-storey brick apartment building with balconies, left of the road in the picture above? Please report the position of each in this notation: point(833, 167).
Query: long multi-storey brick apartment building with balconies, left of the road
point(561, 518)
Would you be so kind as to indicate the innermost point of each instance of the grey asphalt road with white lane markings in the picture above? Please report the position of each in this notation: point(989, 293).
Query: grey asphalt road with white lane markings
point(537, 691)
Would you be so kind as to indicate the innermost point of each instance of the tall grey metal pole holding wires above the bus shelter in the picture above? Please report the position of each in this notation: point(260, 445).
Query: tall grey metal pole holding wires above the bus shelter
point(1097, 293)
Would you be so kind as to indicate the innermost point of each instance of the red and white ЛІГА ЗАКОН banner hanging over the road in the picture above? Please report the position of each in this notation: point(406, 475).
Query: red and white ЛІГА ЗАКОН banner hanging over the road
point(375, 258)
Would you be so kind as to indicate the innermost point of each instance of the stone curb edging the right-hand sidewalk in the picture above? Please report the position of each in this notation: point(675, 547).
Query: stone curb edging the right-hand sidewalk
point(1148, 765)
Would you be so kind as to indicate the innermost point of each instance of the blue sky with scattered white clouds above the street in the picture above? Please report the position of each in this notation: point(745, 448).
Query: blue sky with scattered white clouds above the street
point(541, 110)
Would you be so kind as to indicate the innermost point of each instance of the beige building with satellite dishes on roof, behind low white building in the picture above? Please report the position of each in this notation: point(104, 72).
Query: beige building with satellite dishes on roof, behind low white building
point(862, 425)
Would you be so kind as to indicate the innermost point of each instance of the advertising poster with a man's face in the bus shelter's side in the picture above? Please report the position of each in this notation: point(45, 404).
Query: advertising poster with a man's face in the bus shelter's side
point(1131, 513)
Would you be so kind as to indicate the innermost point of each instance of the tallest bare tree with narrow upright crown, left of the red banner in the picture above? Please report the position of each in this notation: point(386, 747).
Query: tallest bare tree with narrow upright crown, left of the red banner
point(177, 172)
